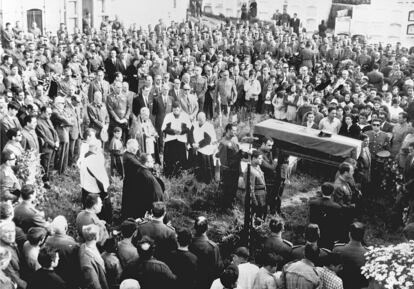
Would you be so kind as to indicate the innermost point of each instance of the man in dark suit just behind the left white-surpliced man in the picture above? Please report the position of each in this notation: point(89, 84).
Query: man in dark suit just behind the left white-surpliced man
point(162, 105)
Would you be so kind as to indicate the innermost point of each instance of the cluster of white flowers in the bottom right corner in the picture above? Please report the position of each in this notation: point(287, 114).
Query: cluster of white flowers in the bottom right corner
point(390, 267)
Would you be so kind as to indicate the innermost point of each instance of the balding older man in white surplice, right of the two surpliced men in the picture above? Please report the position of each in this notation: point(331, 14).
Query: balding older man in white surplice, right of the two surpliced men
point(204, 139)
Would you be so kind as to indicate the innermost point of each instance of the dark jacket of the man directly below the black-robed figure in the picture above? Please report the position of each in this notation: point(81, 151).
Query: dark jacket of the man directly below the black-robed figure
point(163, 235)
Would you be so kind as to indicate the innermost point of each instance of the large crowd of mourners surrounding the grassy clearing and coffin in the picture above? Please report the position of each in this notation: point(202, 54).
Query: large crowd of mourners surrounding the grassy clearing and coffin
point(124, 102)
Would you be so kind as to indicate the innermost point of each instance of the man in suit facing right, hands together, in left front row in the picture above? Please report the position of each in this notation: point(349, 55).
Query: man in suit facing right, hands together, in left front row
point(49, 141)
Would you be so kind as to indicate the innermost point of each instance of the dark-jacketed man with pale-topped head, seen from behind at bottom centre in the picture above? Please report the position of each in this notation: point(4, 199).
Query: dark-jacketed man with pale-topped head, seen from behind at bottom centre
point(208, 254)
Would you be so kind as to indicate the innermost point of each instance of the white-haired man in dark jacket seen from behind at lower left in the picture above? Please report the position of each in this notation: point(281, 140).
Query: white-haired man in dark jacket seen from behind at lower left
point(67, 248)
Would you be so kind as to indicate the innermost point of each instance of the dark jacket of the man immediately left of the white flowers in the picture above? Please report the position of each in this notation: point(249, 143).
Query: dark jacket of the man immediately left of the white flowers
point(353, 257)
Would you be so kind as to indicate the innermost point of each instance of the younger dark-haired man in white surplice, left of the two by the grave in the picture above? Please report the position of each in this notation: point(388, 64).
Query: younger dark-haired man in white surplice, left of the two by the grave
point(176, 126)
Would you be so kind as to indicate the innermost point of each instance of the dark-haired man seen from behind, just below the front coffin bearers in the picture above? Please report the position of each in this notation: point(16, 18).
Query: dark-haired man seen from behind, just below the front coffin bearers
point(275, 243)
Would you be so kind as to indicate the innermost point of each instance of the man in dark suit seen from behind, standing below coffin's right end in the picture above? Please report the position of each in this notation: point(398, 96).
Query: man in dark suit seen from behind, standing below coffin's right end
point(324, 212)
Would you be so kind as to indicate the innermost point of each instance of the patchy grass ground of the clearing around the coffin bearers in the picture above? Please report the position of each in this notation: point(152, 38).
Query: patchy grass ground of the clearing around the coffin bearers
point(186, 199)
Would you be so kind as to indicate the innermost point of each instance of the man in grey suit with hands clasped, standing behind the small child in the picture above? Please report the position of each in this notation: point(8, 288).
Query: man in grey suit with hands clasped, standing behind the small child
point(119, 108)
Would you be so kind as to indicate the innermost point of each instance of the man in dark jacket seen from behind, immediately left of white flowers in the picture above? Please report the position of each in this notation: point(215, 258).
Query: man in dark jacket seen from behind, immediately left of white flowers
point(353, 256)
